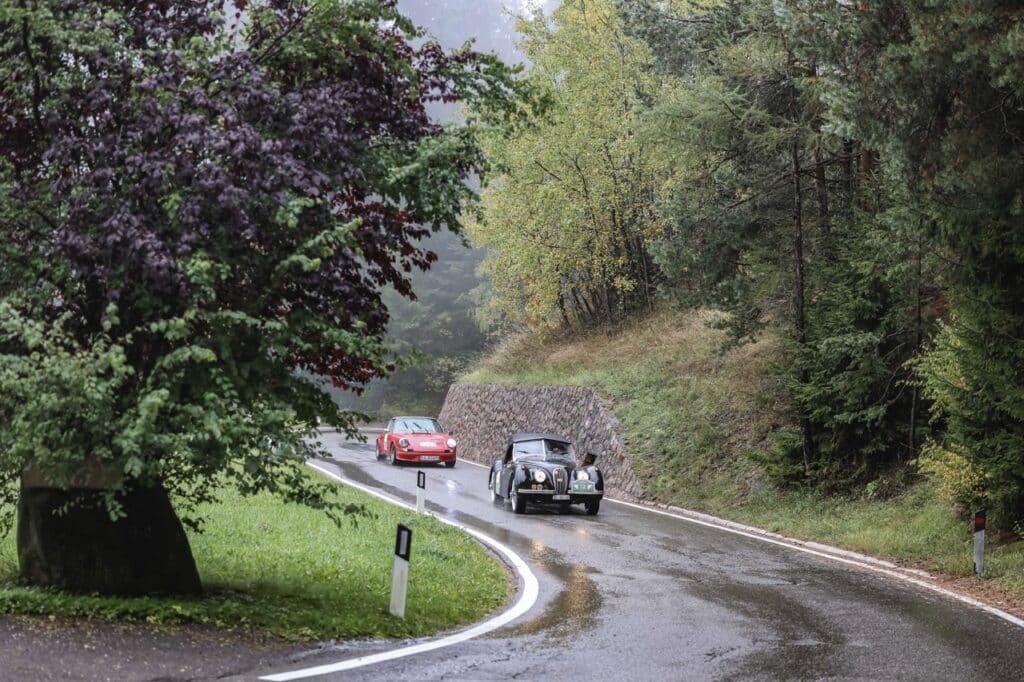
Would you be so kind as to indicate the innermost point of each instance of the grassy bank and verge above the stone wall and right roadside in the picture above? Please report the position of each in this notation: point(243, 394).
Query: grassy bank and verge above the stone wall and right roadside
point(696, 418)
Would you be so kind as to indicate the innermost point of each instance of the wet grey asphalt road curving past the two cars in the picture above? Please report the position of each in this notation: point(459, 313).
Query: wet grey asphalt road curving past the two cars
point(632, 595)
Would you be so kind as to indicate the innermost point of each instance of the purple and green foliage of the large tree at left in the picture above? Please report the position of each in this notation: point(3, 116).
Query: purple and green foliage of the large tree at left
point(214, 201)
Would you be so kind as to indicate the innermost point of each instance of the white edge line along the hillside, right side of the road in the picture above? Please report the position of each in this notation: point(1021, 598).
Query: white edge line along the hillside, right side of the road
point(824, 551)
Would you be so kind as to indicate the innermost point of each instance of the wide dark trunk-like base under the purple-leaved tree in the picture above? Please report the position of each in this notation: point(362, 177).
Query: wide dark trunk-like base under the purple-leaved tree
point(82, 550)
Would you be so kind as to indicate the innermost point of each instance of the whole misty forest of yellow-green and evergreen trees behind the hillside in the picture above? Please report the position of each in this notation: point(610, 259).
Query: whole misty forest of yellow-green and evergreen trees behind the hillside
point(845, 178)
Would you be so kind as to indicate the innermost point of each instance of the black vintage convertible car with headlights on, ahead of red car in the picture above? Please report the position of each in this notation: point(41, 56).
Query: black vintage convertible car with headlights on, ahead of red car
point(542, 468)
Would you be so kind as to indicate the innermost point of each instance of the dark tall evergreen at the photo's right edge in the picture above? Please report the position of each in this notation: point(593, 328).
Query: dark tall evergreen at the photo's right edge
point(937, 88)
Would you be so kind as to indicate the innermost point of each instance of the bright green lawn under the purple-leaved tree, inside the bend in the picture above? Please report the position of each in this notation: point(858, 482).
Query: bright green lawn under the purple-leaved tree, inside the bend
point(290, 572)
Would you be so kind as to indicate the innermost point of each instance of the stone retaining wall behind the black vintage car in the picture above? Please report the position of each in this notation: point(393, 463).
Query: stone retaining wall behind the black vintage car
point(483, 416)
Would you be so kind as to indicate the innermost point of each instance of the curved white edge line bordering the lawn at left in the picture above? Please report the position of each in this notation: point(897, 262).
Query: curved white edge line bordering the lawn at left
point(528, 599)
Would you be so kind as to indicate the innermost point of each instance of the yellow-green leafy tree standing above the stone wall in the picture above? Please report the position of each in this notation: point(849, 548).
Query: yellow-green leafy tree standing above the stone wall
point(569, 220)
